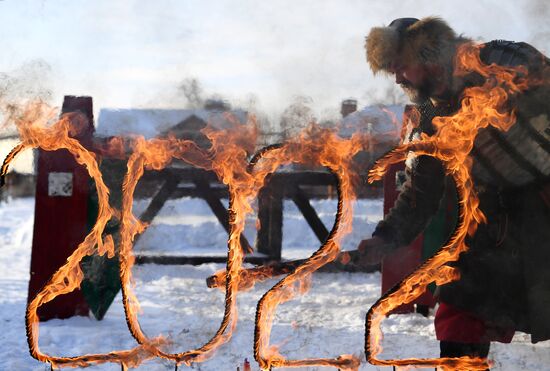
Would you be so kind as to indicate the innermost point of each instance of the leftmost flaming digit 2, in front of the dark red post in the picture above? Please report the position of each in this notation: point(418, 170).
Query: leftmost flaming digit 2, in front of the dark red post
point(36, 130)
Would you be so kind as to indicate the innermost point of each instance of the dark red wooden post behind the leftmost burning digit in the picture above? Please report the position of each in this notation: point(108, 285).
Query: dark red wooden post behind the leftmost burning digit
point(61, 209)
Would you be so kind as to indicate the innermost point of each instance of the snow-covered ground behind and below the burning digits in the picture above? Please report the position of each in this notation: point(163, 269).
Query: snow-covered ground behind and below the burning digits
point(326, 322)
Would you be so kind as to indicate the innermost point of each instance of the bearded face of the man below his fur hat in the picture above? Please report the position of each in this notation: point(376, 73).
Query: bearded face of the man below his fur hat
point(415, 80)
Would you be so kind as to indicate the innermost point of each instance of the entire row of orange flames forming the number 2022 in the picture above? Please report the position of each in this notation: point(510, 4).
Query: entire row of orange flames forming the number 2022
point(452, 143)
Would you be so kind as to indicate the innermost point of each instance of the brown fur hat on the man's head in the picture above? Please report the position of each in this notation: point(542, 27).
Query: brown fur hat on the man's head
point(412, 40)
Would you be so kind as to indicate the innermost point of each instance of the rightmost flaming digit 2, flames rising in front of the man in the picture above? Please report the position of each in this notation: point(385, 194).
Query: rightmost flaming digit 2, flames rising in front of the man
point(454, 139)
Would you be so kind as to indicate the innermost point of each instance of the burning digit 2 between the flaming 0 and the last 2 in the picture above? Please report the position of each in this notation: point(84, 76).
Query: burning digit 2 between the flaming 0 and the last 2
point(313, 146)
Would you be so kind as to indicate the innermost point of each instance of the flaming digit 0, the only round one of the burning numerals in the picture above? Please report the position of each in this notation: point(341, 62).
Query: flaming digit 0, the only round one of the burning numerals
point(227, 158)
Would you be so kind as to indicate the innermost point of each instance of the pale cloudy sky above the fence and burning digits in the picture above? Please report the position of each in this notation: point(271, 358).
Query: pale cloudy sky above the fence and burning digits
point(136, 53)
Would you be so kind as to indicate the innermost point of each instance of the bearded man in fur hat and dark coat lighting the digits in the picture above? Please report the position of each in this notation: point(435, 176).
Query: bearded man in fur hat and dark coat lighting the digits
point(505, 277)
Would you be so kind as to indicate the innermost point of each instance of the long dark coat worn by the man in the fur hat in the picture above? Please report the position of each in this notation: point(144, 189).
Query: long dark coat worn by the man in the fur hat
point(505, 274)
